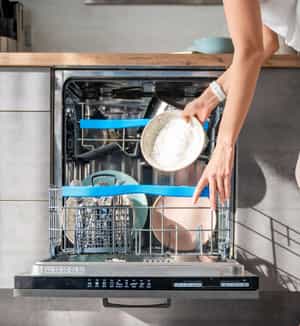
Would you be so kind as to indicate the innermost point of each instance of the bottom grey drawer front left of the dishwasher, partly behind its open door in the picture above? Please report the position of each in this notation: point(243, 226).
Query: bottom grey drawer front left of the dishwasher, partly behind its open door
point(23, 237)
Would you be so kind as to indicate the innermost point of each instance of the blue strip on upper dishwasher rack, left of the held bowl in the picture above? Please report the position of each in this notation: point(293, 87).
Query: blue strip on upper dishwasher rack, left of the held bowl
point(112, 123)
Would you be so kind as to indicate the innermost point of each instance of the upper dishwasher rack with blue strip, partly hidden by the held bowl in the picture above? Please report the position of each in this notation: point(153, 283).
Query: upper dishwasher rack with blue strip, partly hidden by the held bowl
point(90, 135)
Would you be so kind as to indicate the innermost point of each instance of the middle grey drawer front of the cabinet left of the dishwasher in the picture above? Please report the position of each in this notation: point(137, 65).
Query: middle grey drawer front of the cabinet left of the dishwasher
point(25, 155)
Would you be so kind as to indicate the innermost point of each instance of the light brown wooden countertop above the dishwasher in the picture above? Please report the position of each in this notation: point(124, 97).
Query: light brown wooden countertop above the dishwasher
point(132, 59)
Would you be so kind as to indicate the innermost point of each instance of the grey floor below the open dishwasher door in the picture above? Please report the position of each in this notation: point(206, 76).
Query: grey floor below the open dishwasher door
point(273, 308)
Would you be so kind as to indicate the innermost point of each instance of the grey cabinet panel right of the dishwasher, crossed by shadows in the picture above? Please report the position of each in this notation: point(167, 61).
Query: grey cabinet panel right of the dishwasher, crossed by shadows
point(268, 223)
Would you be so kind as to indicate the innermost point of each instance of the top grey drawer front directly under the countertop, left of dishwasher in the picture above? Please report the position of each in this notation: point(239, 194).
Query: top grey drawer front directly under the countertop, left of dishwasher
point(24, 90)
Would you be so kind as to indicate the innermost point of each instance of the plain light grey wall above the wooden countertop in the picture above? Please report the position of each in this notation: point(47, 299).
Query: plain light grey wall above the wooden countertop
point(68, 25)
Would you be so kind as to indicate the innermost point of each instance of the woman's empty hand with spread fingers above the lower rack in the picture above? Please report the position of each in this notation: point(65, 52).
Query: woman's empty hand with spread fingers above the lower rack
point(217, 175)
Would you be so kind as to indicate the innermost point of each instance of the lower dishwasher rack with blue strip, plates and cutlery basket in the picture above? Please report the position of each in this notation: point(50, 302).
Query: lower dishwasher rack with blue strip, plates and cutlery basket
point(102, 220)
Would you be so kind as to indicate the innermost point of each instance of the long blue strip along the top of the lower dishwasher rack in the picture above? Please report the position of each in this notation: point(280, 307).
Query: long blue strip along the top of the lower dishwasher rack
point(117, 190)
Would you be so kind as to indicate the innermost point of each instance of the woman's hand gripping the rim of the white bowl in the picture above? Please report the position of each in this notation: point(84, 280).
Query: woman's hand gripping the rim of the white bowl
point(201, 107)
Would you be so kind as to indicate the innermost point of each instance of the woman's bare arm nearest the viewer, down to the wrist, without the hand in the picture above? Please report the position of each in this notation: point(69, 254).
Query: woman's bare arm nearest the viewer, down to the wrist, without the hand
point(245, 27)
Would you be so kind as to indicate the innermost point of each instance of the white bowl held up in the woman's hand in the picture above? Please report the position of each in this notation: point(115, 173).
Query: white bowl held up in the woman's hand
point(169, 143)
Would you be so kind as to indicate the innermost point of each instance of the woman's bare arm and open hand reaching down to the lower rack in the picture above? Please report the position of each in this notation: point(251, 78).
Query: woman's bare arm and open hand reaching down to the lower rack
point(245, 27)
